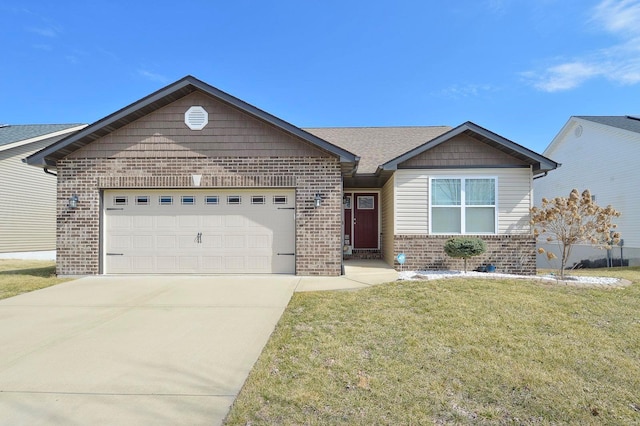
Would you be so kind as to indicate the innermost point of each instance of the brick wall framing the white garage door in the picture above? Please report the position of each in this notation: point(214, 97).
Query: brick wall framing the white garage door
point(318, 230)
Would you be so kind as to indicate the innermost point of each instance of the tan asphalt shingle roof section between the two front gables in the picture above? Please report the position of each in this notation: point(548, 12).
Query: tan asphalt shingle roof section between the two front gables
point(378, 145)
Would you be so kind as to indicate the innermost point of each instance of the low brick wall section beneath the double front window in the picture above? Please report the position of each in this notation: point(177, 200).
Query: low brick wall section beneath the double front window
point(512, 254)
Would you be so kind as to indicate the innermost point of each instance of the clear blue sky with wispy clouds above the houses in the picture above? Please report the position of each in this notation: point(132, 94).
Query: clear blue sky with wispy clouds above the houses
point(520, 68)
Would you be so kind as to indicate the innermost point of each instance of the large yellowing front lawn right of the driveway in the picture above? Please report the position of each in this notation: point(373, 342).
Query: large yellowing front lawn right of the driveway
point(461, 351)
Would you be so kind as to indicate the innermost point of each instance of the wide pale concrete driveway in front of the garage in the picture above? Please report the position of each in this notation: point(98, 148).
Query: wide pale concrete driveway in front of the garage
point(134, 350)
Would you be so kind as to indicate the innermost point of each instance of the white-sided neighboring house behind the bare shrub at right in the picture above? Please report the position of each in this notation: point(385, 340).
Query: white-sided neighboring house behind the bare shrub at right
point(599, 153)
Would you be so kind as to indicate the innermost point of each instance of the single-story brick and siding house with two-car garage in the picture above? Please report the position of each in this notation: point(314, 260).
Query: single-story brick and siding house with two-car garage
point(193, 180)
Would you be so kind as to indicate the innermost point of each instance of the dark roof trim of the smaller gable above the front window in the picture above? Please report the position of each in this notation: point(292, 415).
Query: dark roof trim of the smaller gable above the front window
point(539, 163)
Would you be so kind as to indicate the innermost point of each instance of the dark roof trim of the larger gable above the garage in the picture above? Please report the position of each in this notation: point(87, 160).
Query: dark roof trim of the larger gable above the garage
point(163, 97)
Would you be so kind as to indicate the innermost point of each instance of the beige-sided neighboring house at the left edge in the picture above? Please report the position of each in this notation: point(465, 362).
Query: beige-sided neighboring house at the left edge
point(27, 195)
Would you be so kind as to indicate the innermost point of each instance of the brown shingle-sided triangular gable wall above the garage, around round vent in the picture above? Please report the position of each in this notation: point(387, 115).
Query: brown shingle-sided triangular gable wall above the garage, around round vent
point(229, 132)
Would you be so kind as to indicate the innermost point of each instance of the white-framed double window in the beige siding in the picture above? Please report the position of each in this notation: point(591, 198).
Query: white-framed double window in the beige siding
point(463, 206)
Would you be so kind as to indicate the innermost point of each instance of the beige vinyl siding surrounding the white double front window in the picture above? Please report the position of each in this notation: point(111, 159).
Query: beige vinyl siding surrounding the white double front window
point(514, 198)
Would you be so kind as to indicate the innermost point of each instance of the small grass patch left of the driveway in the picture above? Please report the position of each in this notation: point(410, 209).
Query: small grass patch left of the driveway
point(22, 276)
